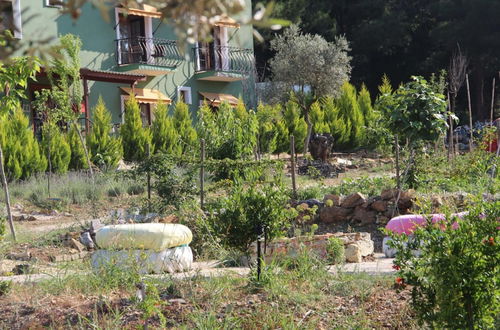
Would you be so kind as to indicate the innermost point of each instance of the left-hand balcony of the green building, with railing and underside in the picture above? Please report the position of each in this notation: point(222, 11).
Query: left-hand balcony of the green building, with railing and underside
point(148, 56)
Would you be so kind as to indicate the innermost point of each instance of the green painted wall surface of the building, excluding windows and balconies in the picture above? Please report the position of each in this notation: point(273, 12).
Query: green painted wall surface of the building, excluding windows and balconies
point(40, 22)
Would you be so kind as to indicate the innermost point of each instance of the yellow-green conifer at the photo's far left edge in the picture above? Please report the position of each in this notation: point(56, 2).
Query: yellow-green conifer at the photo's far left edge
point(23, 156)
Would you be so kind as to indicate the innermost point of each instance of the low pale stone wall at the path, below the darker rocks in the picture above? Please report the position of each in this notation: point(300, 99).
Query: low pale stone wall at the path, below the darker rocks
point(357, 246)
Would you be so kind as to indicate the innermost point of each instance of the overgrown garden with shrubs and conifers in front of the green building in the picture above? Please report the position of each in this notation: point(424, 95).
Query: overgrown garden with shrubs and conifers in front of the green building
point(271, 243)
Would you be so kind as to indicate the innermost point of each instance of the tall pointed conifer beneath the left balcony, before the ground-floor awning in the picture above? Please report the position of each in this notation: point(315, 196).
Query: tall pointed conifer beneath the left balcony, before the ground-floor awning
point(135, 138)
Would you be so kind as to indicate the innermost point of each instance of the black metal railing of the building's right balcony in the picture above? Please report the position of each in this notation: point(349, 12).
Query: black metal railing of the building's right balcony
point(223, 58)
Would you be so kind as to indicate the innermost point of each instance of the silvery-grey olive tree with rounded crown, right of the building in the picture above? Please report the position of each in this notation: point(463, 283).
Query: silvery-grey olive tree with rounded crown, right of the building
point(311, 65)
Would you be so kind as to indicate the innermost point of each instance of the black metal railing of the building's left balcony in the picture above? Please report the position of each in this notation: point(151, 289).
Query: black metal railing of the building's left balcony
point(153, 51)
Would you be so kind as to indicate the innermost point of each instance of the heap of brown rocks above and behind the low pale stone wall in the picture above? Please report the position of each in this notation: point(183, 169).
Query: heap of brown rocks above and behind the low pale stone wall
point(356, 207)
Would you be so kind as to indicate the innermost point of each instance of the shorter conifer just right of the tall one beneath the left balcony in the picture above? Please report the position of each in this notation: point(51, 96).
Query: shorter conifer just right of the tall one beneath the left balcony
point(165, 137)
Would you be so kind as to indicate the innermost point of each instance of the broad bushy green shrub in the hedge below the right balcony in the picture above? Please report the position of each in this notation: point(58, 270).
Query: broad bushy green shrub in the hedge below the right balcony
point(228, 133)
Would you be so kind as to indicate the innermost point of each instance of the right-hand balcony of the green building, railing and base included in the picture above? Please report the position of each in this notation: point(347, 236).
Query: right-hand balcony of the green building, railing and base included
point(222, 63)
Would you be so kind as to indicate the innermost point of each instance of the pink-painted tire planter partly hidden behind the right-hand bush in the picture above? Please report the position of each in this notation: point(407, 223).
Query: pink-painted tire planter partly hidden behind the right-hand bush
point(406, 224)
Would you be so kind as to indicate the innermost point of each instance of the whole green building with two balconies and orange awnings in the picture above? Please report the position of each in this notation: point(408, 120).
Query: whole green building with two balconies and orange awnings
point(136, 51)
